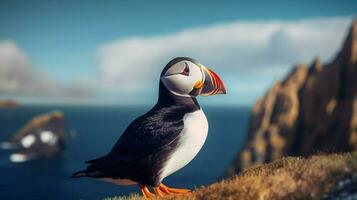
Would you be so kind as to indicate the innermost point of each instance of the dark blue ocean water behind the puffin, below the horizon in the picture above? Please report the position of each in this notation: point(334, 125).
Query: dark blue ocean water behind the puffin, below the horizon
point(96, 130)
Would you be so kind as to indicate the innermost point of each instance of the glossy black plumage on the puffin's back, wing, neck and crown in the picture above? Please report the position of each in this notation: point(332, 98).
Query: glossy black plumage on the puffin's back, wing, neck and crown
point(146, 144)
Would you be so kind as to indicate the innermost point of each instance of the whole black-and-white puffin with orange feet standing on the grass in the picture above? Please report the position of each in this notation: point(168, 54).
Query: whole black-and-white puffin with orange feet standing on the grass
point(166, 138)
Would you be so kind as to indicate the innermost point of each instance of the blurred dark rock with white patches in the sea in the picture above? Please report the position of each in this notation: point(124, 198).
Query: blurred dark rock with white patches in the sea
point(43, 136)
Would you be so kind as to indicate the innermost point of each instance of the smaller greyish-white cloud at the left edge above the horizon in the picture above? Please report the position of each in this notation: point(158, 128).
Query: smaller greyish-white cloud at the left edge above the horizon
point(18, 79)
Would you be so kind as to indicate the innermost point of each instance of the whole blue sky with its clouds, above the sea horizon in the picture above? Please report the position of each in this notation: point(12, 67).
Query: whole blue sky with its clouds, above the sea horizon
point(112, 52)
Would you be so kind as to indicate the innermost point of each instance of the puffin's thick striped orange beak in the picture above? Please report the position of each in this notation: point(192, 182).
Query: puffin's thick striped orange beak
point(212, 84)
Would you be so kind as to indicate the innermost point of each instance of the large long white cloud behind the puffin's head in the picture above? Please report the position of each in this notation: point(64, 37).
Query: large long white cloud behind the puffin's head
point(247, 55)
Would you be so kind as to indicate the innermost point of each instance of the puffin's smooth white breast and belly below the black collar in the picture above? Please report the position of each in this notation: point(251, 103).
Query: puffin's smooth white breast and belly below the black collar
point(191, 141)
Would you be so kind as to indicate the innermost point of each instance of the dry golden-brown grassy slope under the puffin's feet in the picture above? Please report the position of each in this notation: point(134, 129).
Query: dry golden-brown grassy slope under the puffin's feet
point(286, 178)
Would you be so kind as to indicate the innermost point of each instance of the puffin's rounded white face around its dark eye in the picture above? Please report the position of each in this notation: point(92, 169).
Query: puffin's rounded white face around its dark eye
point(180, 78)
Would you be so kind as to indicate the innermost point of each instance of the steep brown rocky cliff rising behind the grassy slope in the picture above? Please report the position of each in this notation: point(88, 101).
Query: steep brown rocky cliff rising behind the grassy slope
point(313, 110)
